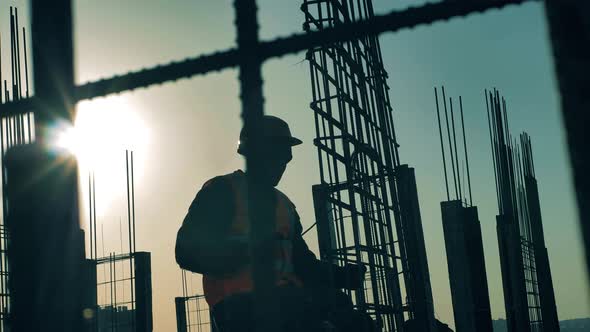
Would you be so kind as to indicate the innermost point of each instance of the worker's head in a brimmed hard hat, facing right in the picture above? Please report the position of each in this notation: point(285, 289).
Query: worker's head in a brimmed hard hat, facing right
point(275, 145)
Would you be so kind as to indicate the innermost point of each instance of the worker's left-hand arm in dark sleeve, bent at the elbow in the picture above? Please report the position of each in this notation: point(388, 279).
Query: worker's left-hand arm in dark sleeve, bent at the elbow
point(203, 244)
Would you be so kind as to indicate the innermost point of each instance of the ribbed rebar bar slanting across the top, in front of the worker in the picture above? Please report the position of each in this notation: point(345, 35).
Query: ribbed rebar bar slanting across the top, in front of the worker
point(392, 22)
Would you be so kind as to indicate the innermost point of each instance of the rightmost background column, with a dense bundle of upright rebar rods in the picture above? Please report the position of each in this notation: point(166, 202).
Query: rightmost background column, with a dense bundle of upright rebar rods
point(526, 276)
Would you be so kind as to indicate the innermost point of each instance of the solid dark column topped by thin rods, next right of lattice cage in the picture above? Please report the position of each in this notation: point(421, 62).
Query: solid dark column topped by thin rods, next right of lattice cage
point(462, 229)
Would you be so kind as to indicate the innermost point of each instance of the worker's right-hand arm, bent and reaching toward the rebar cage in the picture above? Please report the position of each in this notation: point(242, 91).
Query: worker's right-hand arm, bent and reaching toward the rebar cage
point(314, 272)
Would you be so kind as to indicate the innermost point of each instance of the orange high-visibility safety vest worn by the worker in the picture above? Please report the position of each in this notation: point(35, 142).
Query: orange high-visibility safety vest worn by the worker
point(216, 288)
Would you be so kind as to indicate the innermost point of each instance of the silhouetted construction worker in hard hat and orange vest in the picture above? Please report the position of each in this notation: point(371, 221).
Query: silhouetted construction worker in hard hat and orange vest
point(214, 241)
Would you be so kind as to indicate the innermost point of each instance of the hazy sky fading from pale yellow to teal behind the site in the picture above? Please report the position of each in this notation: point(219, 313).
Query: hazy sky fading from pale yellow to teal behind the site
point(190, 127)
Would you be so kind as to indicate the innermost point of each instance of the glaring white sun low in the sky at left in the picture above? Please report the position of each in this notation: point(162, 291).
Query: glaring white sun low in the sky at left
point(103, 130)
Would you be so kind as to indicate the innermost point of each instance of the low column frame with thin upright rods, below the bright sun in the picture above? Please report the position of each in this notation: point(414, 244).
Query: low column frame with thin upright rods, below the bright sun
point(120, 285)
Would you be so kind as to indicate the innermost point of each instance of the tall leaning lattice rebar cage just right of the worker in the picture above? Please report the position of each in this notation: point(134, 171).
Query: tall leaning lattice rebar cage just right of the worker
point(357, 153)
